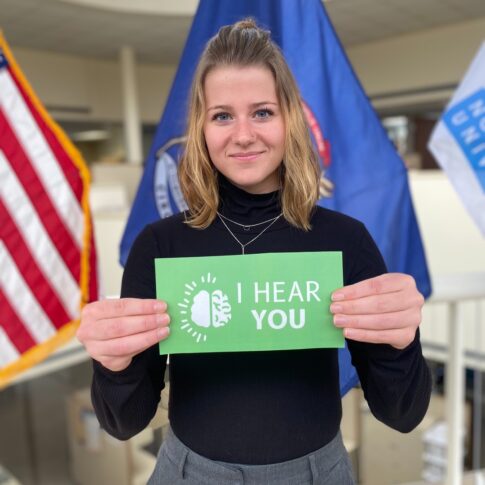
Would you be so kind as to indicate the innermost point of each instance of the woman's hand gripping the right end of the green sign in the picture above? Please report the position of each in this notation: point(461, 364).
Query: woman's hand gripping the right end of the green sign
point(381, 310)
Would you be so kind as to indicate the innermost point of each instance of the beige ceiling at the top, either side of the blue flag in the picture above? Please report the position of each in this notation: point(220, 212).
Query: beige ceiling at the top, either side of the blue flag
point(73, 28)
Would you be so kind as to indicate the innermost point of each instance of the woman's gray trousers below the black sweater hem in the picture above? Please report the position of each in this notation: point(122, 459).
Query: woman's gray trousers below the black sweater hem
point(178, 465)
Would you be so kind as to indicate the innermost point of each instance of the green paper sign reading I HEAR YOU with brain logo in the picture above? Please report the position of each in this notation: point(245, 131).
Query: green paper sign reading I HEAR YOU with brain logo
point(271, 301)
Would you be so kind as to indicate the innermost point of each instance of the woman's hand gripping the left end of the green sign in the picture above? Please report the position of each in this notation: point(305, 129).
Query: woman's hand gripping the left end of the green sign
point(114, 331)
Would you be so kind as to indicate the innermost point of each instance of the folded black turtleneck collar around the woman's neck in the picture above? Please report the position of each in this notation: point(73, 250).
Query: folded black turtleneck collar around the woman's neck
point(246, 208)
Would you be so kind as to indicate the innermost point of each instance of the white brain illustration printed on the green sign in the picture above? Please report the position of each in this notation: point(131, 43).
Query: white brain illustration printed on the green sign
point(210, 309)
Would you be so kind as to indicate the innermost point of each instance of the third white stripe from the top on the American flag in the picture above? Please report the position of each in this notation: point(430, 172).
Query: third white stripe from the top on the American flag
point(27, 307)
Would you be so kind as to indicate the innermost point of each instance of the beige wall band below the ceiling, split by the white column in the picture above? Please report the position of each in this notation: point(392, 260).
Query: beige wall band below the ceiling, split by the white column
point(90, 84)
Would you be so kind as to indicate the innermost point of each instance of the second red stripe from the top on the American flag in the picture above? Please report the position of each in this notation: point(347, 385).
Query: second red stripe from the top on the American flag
point(60, 236)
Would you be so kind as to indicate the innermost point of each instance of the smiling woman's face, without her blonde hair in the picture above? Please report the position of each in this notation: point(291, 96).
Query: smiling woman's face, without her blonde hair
point(244, 128)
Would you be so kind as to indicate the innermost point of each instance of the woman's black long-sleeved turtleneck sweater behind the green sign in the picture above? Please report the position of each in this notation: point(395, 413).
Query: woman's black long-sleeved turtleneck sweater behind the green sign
point(257, 407)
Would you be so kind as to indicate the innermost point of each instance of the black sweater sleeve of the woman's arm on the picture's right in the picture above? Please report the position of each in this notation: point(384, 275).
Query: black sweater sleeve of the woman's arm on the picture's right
point(396, 383)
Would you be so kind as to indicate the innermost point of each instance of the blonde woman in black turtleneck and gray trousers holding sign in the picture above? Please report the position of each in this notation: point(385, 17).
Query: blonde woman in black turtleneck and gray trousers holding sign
point(250, 178)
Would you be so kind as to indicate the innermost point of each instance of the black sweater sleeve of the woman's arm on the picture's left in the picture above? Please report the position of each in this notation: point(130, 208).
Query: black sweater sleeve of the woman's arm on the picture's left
point(127, 400)
